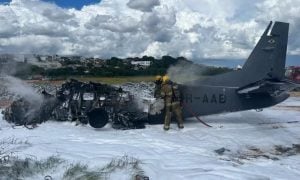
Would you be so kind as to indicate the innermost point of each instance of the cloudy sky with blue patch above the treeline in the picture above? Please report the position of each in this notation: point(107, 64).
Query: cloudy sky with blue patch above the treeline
point(195, 29)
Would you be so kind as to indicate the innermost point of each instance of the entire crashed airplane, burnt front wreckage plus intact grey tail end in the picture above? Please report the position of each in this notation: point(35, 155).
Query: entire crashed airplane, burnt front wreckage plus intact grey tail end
point(261, 83)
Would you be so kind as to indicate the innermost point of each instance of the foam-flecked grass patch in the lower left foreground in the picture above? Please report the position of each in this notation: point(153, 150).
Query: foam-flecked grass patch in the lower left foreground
point(14, 167)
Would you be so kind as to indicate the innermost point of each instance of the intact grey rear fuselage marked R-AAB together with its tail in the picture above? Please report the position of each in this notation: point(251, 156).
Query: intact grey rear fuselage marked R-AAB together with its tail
point(259, 84)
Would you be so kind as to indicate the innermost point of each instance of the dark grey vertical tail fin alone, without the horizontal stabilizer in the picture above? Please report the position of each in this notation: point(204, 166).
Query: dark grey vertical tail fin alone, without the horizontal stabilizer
point(267, 60)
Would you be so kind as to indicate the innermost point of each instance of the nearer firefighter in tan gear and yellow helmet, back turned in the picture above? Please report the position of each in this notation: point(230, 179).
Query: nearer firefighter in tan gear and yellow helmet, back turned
point(171, 95)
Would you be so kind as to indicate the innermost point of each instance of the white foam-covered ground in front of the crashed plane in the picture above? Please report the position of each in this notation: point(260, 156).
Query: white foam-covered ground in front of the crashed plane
point(247, 142)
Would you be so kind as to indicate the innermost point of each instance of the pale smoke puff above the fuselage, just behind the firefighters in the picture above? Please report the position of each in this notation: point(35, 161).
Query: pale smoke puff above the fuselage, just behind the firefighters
point(184, 72)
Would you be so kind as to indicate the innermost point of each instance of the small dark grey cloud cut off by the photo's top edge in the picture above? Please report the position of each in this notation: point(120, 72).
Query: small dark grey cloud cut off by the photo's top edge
point(142, 5)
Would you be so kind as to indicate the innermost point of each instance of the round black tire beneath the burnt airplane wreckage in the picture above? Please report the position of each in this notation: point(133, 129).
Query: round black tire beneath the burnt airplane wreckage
point(98, 118)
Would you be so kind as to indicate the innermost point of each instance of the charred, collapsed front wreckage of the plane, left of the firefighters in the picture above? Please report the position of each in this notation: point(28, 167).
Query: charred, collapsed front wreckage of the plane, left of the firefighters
point(87, 103)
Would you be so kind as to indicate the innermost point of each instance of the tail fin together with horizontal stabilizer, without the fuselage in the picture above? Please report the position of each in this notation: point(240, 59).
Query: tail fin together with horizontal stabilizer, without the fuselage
point(265, 68)
